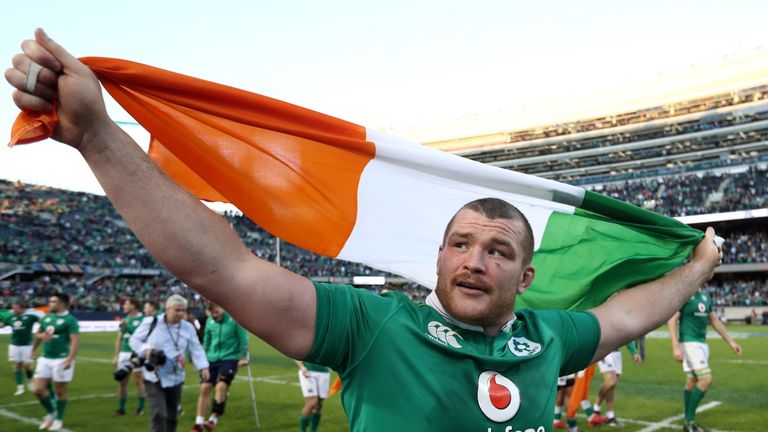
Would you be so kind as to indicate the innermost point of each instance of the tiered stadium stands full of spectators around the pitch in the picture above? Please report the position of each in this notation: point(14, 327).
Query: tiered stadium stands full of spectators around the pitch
point(706, 154)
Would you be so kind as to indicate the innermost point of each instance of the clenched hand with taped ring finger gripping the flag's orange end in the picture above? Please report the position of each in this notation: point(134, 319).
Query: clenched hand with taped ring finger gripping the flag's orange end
point(62, 78)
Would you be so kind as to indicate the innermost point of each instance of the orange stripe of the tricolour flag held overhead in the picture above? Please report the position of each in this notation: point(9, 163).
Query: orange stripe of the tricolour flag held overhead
point(291, 170)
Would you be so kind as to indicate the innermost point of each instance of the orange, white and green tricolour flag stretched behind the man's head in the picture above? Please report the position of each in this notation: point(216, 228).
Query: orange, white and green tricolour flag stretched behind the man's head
point(341, 190)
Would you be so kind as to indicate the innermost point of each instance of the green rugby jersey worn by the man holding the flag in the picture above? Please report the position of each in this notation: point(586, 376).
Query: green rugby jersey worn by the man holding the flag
point(405, 367)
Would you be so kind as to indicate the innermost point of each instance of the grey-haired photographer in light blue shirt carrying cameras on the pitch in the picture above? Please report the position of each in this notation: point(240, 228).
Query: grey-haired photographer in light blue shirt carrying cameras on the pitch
point(162, 343)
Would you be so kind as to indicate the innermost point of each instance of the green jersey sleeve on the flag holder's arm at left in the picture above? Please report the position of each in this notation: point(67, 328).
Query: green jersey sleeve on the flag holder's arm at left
point(347, 322)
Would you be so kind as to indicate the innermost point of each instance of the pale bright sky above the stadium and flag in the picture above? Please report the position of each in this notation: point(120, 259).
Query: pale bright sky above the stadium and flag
point(390, 64)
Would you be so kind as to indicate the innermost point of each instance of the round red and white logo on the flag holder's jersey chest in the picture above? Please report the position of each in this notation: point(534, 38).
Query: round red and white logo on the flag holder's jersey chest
point(498, 397)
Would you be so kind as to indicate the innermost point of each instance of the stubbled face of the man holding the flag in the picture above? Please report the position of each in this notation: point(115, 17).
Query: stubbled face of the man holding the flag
point(480, 269)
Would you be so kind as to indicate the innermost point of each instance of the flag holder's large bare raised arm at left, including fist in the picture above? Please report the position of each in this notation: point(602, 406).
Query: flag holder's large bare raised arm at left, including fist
point(188, 239)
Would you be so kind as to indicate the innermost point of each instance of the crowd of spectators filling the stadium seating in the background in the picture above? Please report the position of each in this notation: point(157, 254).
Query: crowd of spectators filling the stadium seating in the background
point(45, 225)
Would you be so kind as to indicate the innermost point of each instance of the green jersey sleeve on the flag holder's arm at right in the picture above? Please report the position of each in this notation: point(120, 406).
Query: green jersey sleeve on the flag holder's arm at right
point(579, 334)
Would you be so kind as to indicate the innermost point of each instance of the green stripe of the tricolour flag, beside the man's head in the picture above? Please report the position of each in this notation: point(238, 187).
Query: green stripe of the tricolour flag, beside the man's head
point(605, 246)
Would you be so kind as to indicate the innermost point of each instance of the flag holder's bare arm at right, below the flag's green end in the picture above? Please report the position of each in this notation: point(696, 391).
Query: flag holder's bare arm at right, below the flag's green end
point(635, 312)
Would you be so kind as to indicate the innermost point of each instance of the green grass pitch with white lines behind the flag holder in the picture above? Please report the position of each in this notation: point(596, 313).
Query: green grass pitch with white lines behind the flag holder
point(648, 392)
